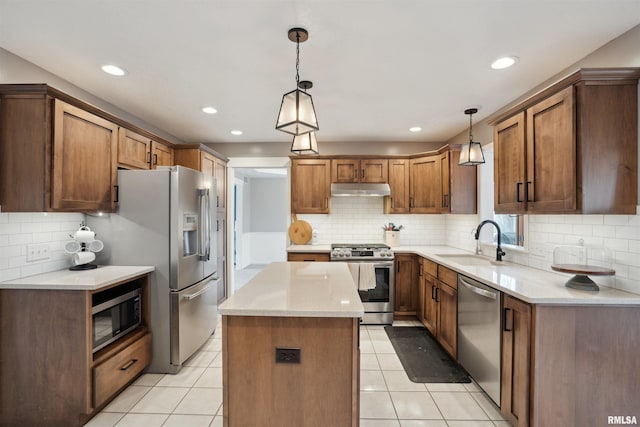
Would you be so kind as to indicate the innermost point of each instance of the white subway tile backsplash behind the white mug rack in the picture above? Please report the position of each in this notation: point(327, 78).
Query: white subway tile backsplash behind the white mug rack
point(17, 230)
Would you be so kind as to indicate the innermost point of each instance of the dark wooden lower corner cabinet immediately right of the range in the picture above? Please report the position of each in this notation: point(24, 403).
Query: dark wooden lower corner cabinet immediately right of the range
point(406, 285)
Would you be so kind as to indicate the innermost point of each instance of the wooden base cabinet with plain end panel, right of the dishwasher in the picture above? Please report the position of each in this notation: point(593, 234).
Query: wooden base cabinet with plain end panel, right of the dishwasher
point(552, 363)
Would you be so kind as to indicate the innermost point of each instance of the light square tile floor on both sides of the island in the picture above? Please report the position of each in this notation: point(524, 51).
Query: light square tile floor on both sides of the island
point(193, 397)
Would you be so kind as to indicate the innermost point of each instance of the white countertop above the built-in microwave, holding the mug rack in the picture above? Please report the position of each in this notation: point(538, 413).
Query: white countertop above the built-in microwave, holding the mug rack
point(85, 280)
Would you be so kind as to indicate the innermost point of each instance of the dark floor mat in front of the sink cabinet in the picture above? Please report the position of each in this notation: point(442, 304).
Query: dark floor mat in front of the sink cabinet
point(423, 359)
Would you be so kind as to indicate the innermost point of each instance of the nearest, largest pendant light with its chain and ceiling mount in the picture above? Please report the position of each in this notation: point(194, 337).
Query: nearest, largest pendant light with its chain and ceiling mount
point(297, 115)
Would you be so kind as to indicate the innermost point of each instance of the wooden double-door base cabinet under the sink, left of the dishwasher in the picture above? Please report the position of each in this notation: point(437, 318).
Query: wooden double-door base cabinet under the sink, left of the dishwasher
point(440, 304)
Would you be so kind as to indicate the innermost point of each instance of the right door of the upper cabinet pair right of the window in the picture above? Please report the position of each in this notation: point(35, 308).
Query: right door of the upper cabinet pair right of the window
point(551, 154)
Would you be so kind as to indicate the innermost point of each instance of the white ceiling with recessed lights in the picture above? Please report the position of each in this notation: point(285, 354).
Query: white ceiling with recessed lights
point(378, 66)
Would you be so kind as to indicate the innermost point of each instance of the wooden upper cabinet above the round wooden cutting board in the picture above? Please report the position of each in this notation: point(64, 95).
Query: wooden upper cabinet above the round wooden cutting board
point(310, 185)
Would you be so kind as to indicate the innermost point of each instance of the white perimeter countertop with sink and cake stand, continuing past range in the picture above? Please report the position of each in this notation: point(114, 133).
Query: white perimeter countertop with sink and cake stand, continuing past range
point(526, 283)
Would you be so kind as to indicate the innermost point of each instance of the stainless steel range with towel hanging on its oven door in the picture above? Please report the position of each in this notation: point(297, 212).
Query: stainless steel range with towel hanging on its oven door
point(371, 266)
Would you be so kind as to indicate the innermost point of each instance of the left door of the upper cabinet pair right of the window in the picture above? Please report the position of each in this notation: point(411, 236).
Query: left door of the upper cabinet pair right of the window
point(509, 165)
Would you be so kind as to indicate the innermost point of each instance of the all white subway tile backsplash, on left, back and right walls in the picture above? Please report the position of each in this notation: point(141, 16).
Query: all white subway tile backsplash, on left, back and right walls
point(360, 220)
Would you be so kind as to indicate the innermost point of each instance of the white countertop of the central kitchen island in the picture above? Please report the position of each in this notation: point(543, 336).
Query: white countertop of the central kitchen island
point(297, 289)
